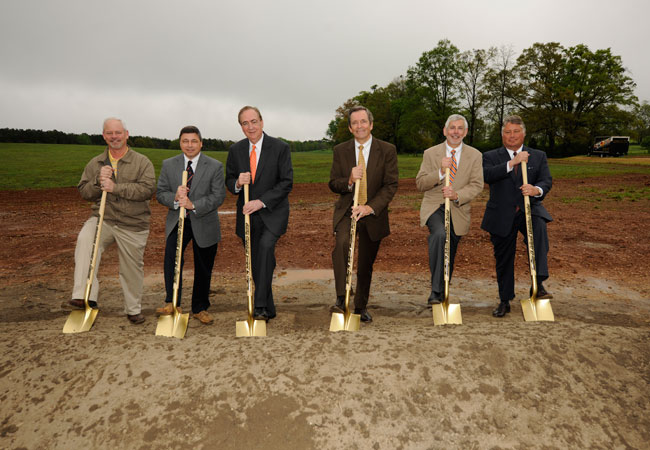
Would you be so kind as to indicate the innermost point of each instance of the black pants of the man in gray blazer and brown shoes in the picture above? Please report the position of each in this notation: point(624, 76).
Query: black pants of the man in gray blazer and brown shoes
point(203, 263)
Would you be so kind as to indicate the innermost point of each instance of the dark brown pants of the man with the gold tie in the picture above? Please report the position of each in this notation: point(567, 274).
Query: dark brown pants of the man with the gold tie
point(367, 254)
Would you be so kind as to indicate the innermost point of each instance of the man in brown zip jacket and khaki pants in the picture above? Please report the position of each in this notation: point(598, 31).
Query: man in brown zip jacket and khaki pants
point(129, 179)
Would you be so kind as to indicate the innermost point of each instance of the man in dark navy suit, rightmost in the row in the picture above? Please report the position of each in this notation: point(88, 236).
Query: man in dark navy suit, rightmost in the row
point(504, 212)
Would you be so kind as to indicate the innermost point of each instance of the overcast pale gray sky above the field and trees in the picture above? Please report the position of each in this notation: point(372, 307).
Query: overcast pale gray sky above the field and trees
point(163, 64)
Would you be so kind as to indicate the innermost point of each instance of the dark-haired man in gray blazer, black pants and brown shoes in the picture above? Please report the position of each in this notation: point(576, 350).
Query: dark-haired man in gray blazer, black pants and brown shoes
point(201, 198)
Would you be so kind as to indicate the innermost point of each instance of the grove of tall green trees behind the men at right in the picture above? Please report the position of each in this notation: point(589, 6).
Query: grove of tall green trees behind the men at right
point(566, 96)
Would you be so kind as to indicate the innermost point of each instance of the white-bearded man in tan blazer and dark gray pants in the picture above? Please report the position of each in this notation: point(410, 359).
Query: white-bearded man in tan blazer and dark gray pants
point(466, 182)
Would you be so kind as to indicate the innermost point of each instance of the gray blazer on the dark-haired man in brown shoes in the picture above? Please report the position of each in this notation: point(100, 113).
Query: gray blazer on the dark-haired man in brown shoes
point(206, 193)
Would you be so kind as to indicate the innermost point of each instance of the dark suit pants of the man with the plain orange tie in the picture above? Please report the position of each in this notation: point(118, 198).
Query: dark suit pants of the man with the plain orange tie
point(263, 262)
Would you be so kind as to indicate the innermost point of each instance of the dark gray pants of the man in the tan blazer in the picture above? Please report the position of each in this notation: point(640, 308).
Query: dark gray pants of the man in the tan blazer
point(437, 237)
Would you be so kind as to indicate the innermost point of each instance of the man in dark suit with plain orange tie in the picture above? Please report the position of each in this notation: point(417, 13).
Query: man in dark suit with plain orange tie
point(264, 163)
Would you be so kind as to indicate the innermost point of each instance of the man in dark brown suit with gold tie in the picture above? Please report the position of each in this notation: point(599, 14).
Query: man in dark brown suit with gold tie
point(374, 163)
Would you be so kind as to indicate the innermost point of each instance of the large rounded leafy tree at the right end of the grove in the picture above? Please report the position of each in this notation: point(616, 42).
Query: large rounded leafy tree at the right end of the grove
point(566, 94)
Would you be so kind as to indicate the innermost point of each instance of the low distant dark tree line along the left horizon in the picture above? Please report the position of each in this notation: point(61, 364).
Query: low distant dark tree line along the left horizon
point(59, 137)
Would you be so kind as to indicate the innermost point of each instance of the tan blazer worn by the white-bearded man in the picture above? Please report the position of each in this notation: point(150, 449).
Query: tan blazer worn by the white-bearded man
point(468, 183)
